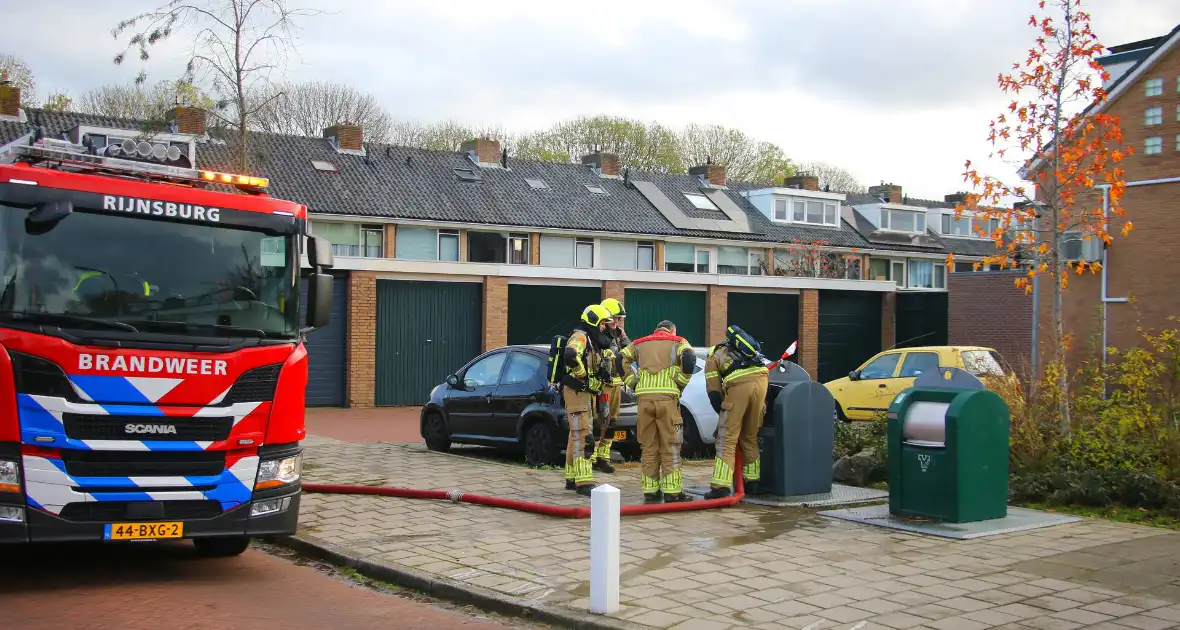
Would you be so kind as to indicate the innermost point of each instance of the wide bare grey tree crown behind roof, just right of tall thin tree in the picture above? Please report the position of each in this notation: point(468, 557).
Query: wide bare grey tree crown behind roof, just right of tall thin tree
point(307, 109)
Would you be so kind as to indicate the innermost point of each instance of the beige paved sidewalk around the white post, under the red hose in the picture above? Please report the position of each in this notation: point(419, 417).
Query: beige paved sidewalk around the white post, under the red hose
point(739, 568)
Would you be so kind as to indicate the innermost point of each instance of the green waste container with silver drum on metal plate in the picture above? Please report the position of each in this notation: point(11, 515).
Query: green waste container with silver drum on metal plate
point(948, 450)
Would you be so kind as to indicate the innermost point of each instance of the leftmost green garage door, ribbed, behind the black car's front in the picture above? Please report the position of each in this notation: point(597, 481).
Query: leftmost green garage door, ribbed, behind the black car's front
point(425, 331)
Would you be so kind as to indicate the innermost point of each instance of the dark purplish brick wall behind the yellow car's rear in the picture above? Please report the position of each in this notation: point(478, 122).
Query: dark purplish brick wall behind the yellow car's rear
point(986, 309)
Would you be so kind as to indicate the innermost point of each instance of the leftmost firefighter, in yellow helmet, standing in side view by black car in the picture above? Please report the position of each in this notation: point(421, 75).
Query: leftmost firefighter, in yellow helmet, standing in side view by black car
point(586, 378)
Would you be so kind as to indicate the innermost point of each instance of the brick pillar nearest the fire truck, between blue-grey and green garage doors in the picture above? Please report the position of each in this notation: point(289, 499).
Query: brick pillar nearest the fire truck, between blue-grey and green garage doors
point(362, 339)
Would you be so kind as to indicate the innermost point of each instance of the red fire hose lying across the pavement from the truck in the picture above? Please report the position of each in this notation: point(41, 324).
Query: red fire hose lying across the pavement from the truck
point(562, 511)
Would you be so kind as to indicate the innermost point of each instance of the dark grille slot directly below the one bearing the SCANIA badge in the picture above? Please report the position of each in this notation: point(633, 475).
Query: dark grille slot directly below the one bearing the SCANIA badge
point(143, 464)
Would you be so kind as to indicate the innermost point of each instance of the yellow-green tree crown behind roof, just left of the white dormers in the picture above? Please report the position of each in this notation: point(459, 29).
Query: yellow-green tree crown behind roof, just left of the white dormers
point(745, 159)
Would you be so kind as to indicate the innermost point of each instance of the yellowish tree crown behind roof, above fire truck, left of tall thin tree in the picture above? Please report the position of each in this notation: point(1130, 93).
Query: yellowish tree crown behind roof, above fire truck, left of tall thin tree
point(140, 103)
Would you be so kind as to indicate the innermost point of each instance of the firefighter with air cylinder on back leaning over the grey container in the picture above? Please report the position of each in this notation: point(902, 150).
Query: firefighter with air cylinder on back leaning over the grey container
point(737, 378)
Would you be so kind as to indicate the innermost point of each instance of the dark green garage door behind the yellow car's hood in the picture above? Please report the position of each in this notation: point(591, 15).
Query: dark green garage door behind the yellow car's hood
point(850, 332)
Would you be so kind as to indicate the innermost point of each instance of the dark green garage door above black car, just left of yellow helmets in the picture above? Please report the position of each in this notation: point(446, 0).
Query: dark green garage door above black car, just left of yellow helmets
point(537, 312)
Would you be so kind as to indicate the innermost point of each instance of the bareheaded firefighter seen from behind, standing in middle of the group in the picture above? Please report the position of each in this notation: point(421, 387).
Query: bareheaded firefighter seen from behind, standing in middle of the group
point(666, 364)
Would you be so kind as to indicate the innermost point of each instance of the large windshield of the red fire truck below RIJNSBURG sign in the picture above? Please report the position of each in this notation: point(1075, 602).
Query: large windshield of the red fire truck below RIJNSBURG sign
point(102, 271)
